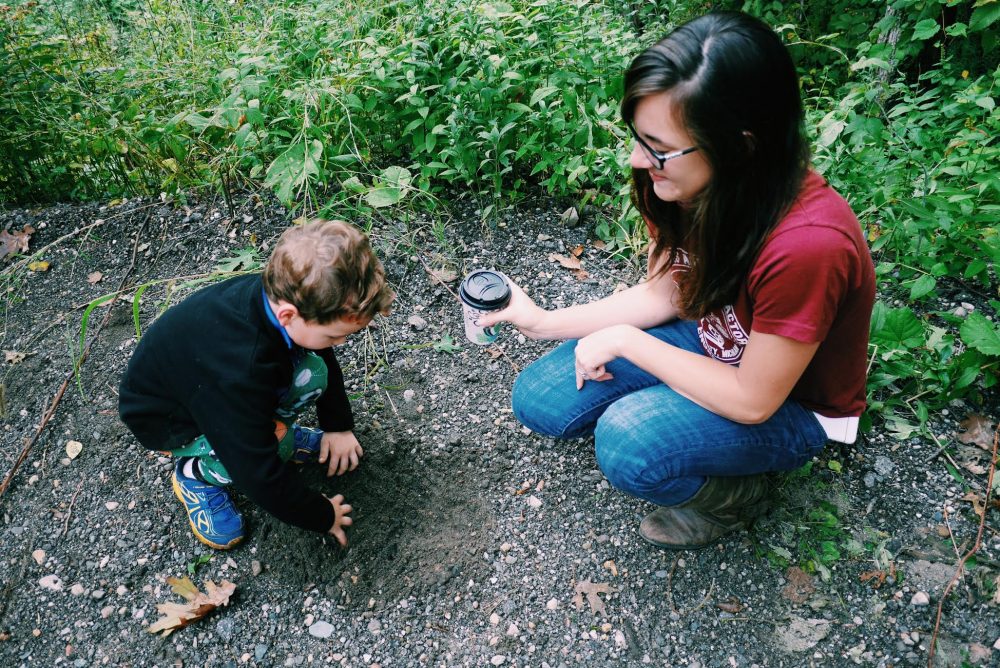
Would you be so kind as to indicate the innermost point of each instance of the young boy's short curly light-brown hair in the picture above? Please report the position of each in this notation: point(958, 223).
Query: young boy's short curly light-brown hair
point(328, 271)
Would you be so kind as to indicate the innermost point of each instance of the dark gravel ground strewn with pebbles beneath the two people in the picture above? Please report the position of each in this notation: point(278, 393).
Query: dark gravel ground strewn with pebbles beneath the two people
point(475, 542)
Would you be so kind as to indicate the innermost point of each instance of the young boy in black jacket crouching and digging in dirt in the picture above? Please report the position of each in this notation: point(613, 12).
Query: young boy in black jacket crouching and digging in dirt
point(219, 379)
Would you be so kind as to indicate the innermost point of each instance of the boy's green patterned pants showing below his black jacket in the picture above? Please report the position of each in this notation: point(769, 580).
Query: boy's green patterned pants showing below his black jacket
point(309, 379)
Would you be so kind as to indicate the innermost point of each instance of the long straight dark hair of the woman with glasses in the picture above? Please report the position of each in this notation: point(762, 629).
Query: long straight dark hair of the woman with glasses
point(736, 92)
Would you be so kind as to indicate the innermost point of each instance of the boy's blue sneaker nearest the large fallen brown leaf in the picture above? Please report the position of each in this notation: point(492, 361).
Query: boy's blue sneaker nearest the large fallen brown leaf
point(211, 513)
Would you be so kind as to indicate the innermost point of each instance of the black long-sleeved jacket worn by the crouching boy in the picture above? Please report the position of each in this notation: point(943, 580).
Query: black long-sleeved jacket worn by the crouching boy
point(214, 365)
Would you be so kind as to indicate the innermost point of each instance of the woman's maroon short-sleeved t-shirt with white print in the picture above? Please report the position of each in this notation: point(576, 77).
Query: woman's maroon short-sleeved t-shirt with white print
point(812, 281)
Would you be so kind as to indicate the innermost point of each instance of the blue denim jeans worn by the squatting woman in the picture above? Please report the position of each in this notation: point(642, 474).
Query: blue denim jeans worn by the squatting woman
point(650, 441)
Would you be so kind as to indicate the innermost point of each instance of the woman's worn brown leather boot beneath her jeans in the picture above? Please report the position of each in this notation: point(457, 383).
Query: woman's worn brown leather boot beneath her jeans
point(723, 504)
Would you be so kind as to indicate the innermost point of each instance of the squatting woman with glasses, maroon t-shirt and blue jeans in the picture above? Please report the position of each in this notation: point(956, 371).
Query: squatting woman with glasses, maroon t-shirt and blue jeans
point(745, 348)
